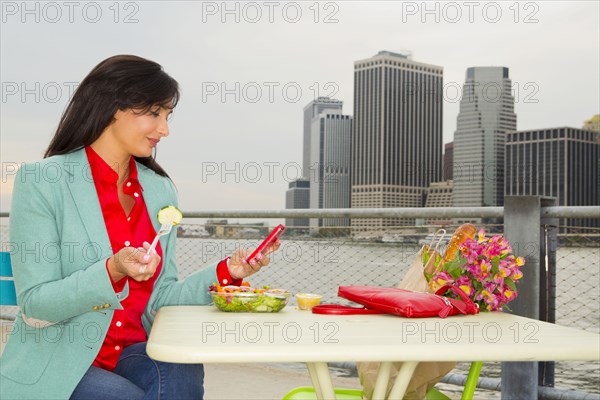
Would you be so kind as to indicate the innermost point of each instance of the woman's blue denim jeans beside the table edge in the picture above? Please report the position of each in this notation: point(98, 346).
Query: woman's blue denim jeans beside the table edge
point(137, 376)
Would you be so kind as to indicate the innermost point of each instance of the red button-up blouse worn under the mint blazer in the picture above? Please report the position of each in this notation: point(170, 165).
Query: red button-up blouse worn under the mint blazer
point(129, 230)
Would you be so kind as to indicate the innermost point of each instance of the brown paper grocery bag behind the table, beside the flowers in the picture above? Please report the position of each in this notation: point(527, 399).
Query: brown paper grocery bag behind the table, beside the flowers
point(427, 374)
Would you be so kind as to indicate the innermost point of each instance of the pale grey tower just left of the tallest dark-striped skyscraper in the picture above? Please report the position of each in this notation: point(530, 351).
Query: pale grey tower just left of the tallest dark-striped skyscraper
point(330, 159)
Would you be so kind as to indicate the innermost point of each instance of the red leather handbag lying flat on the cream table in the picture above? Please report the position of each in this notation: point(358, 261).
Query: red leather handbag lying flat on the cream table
point(402, 302)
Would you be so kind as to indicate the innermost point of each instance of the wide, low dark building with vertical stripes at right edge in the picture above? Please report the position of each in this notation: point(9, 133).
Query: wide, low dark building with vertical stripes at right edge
point(557, 162)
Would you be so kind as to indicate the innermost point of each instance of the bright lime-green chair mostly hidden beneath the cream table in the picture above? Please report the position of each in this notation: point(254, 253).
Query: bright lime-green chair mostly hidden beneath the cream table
point(308, 392)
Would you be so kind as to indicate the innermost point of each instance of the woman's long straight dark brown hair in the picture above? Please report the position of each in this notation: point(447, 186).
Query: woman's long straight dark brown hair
point(118, 83)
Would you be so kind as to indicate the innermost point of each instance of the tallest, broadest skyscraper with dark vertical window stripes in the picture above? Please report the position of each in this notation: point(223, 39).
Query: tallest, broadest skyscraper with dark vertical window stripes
point(396, 134)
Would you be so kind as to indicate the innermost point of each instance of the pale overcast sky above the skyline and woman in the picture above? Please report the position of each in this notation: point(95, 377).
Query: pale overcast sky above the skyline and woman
point(247, 69)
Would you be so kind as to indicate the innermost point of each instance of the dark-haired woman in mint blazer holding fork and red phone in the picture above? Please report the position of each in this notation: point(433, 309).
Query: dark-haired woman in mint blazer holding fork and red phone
point(81, 220)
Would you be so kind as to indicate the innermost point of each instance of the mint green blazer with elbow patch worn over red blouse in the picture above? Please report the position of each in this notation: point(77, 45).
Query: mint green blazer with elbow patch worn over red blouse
point(59, 246)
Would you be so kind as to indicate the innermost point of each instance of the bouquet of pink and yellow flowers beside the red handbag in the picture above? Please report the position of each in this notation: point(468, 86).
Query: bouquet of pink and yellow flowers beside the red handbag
point(484, 268)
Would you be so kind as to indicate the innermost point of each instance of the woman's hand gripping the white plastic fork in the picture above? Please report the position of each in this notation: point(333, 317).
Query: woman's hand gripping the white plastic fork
point(133, 262)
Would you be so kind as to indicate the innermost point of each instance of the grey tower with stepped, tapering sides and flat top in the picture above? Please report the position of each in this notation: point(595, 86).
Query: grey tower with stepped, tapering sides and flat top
point(486, 116)
